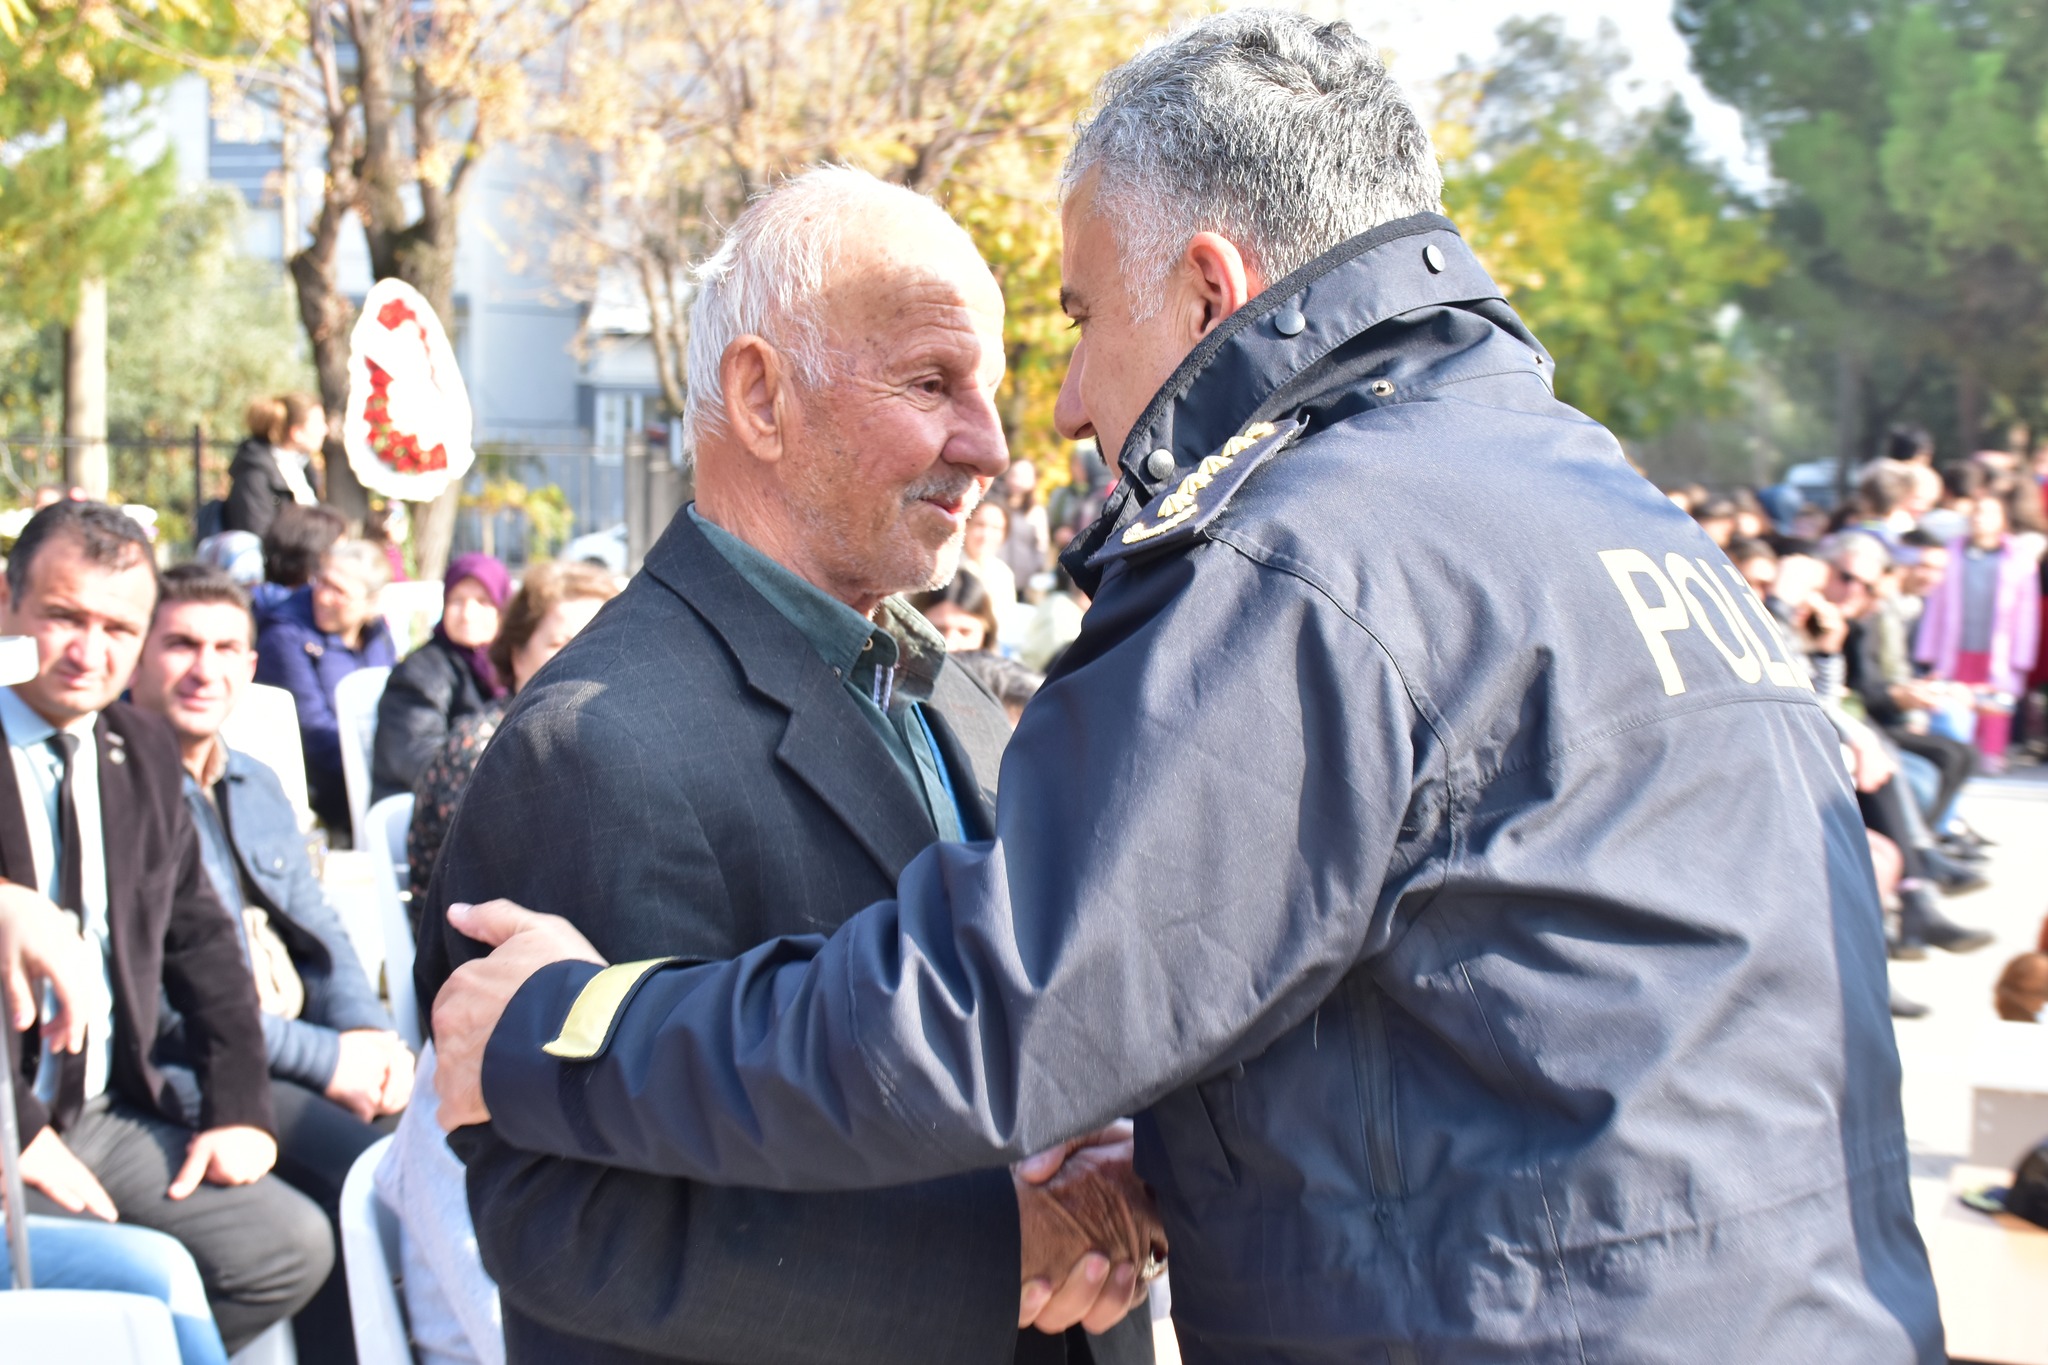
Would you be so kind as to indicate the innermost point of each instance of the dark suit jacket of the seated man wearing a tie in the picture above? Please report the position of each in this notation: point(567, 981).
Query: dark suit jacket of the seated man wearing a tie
point(167, 934)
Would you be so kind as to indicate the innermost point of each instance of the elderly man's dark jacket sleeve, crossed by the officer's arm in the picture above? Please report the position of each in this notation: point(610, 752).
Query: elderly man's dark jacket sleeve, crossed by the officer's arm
point(658, 1264)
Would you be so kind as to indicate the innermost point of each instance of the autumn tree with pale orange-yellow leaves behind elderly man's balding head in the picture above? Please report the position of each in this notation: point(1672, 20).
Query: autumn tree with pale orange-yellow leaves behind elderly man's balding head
point(679, 112)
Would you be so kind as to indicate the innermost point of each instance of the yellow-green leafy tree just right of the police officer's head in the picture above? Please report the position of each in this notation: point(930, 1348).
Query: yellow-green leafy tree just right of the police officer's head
point(1621, 249)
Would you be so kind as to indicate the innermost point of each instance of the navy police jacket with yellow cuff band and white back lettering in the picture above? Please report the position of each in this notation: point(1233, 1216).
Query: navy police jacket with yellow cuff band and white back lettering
point(1426, 836)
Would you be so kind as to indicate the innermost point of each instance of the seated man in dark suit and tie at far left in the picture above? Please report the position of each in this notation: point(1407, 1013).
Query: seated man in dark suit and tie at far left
point(95, 824)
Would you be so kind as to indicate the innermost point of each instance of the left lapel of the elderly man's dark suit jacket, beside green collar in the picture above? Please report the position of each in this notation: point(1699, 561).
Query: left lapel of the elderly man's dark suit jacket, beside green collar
point(828, 744)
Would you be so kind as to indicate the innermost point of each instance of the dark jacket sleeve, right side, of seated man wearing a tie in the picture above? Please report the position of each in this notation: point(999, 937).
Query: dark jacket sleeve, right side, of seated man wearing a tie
point(212, 987)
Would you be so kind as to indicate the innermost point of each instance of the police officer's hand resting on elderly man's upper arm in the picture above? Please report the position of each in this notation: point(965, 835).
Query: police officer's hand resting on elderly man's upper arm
point(476, 996)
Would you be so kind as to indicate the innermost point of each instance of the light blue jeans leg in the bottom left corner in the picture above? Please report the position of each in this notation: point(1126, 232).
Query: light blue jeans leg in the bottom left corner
point(75, 1253)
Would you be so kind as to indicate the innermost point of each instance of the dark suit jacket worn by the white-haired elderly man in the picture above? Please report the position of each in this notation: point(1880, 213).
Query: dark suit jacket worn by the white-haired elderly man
point(691, 779)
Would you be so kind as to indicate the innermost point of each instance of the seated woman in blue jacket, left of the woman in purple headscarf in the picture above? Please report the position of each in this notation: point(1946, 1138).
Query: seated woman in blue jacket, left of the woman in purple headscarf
point(316, 637)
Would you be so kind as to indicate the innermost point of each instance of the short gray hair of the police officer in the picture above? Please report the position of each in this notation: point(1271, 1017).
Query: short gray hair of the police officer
point(1271, 128)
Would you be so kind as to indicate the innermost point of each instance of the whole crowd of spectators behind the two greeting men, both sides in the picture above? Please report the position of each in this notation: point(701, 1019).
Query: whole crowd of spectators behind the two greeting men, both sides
point(1916, 609)
